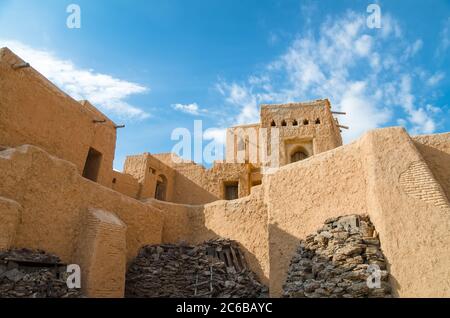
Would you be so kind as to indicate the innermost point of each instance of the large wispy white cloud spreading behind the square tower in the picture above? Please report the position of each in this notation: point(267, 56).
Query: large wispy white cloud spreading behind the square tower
point(355, 67)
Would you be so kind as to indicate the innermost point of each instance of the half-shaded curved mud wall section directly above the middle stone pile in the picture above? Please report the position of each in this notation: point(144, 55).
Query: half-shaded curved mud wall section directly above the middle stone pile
point(243, 220)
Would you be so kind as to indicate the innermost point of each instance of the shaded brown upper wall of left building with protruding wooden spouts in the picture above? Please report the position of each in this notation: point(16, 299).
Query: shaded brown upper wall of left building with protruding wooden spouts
point(34, 111)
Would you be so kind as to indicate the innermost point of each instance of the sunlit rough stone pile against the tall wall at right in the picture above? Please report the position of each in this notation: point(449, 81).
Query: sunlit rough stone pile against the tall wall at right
point(337, 261)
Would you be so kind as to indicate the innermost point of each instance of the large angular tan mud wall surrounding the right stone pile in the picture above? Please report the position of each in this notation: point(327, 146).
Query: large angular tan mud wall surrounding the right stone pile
point(382, 175)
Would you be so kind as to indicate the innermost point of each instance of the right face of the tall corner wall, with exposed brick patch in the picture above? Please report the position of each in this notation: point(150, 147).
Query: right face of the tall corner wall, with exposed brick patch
point(411, 213)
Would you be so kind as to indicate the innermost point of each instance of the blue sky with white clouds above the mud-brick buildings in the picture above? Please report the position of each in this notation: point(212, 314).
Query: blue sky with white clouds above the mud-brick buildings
point(159, 65)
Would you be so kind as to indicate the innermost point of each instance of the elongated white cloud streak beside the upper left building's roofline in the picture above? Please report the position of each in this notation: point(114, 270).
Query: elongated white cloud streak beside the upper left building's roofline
point(105, 91)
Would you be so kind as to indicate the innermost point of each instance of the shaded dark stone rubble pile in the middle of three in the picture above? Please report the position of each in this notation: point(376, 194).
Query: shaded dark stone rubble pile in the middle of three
point(214, 269)
